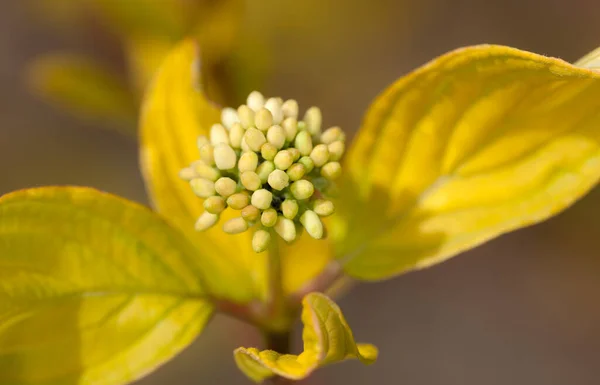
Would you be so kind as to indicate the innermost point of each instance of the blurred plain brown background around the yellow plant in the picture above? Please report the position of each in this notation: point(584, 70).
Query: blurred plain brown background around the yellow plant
point(522, 309)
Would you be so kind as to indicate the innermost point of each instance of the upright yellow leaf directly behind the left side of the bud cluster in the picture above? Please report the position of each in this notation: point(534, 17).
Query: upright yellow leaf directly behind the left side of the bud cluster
point(174, 114)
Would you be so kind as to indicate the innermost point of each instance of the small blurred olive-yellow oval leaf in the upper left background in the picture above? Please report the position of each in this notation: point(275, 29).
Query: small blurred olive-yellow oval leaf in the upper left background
point(84, 88)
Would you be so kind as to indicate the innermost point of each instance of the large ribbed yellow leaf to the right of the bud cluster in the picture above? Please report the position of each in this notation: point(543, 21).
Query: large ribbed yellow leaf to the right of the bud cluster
point(479, 142)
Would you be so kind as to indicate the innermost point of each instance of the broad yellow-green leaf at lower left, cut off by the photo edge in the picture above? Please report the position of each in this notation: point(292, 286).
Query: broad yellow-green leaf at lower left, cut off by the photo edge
point(93, 289)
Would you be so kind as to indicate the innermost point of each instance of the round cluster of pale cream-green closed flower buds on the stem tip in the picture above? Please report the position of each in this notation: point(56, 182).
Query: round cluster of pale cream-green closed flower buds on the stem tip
point(274, 169)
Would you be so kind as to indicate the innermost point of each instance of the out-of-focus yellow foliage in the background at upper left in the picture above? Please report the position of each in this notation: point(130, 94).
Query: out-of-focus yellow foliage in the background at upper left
point(146, 30)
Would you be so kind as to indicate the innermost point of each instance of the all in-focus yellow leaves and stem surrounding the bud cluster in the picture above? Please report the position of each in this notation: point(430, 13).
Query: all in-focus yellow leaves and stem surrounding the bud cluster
point(479, 142)
